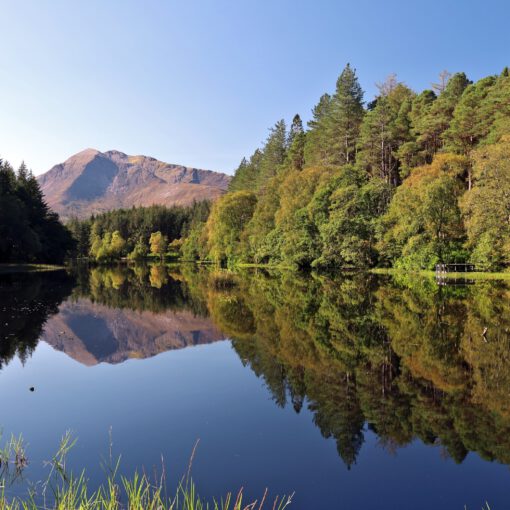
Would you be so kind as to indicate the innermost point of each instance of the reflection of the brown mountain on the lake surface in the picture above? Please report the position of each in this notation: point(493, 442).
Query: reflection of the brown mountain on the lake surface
point(92, 333)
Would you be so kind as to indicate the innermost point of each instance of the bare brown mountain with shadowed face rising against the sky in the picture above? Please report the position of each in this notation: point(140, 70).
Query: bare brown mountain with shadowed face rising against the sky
point(92, 182)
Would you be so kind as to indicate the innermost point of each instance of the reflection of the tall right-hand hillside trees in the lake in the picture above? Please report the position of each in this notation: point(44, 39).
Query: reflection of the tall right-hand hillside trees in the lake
point(410, 359)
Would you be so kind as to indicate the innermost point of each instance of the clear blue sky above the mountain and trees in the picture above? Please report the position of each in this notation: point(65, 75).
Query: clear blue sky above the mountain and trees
point(199, 82)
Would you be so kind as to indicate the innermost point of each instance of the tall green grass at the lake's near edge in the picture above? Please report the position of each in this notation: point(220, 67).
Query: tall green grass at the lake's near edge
point(63, 490)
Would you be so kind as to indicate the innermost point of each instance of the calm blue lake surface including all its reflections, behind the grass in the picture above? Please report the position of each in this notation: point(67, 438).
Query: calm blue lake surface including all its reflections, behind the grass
point(355, 392)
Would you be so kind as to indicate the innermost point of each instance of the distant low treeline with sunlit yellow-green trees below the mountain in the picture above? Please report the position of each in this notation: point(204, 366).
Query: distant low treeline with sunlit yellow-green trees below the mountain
point(137, 232)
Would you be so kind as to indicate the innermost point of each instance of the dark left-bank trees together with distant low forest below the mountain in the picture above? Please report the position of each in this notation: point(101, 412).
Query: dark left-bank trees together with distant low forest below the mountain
point(31, 233)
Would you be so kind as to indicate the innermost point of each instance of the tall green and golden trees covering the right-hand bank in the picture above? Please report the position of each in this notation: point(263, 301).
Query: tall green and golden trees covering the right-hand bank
point(407, 180)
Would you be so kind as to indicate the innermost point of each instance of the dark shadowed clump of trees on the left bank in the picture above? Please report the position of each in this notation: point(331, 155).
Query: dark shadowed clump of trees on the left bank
point(29, 231)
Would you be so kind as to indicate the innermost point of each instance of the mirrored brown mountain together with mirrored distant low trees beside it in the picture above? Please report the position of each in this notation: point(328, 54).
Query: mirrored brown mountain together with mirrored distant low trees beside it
point(120, 313)
